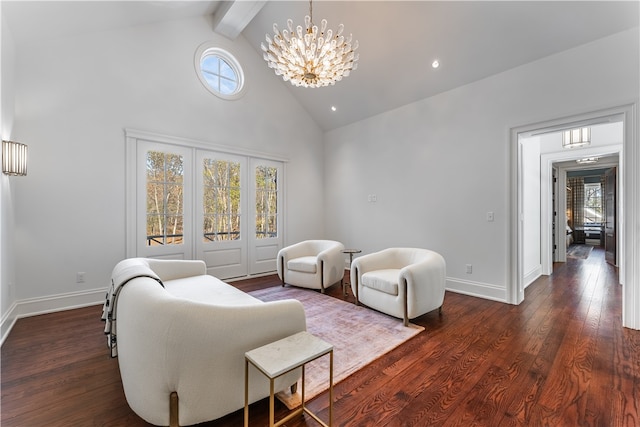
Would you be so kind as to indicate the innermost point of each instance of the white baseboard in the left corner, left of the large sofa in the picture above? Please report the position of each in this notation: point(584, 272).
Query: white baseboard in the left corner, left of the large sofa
point(49, 304)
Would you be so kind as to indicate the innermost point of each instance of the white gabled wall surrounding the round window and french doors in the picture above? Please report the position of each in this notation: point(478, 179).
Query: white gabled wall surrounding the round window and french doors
point(74, 98)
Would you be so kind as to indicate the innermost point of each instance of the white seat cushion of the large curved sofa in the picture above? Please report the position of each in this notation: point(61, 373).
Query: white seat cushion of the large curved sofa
point(209, 290)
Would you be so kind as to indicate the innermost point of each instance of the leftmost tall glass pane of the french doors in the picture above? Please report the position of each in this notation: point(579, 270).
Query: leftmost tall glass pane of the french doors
point(165, 173)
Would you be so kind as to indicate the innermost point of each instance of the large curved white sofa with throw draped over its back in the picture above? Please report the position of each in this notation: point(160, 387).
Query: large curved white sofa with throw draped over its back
point(189, 337)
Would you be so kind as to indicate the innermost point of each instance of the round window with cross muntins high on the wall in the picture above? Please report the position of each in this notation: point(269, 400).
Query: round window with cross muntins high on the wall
point(219, 72)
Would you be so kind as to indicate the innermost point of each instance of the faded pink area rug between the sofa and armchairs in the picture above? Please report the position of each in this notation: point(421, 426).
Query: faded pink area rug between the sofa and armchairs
point(359, 336)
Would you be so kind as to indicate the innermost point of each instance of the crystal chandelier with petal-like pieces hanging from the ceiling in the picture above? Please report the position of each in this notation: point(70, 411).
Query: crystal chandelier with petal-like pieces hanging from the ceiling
point(310, 57)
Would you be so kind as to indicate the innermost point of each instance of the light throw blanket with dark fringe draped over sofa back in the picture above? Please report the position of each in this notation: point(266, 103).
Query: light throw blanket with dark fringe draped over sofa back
point(119, 279)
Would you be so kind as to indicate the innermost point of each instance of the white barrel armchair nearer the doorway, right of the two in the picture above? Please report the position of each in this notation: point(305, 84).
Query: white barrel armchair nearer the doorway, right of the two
point(402, 282)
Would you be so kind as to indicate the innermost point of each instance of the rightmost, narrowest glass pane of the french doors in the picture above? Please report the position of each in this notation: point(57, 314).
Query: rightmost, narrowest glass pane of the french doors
point(266, 202)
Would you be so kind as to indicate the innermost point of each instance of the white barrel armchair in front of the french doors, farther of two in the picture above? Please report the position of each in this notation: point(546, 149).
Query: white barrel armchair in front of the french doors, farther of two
point(314, 264)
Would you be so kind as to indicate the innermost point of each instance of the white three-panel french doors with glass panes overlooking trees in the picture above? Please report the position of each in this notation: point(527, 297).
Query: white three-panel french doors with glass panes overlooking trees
point(194, 203)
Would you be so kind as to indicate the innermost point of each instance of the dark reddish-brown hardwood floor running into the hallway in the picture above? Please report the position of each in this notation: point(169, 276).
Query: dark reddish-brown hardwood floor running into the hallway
point(561, 358)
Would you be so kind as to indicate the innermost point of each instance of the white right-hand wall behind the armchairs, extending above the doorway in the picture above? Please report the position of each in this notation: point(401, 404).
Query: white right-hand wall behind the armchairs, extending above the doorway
point(439, 165)
